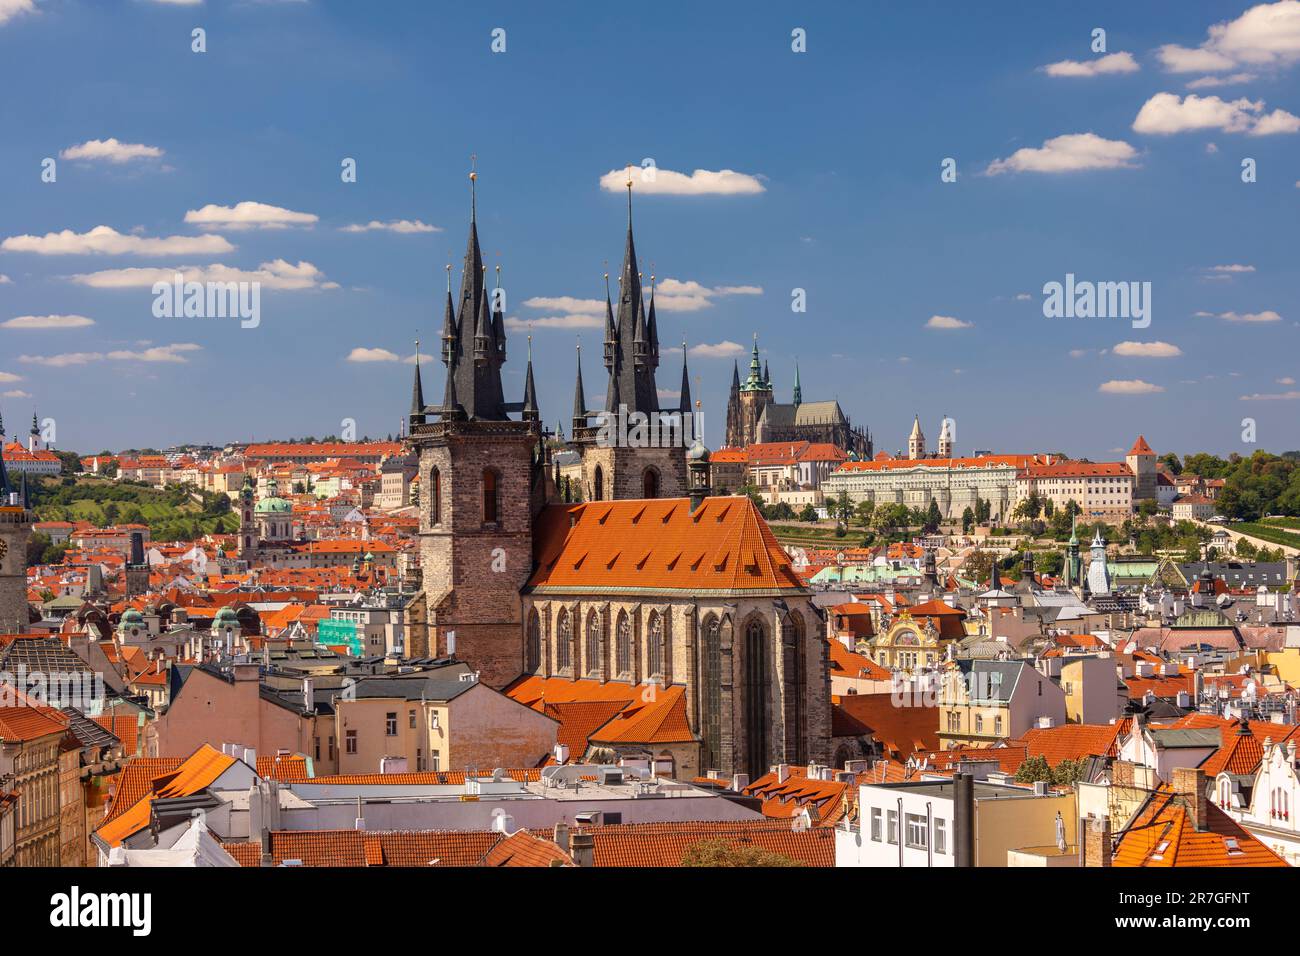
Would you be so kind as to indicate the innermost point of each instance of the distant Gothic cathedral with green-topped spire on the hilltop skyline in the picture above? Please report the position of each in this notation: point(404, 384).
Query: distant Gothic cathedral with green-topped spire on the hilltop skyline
point(755, 417)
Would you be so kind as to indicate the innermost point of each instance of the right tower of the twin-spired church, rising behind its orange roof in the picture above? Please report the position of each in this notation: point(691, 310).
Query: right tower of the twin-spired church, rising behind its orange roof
point(636, 451)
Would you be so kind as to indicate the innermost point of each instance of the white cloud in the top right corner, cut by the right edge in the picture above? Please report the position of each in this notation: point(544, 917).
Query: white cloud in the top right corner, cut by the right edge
point(1266, 36)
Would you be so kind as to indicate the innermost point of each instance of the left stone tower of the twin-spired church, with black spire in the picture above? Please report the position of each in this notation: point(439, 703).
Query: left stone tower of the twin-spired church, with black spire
point(483, 481)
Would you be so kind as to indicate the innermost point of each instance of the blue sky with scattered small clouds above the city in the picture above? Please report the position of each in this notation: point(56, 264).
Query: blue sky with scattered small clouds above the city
point(837, 191)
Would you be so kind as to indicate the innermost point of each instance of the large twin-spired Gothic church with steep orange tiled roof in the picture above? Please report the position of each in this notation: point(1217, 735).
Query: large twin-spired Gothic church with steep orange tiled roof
point(652, 591)
